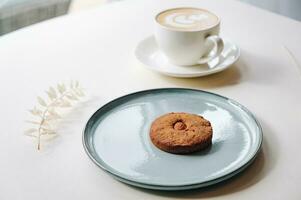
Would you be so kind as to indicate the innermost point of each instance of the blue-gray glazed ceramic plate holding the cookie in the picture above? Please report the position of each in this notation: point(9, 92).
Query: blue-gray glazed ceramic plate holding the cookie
point(116, 138)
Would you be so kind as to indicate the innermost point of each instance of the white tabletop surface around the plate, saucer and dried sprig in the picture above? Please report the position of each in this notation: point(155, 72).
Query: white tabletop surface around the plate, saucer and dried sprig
point(96, 47)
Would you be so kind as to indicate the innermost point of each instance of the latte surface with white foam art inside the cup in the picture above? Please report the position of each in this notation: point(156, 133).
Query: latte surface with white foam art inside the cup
point(187, 19)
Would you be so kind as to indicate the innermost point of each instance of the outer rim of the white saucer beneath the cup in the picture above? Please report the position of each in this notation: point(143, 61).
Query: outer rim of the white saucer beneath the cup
point(188, 75)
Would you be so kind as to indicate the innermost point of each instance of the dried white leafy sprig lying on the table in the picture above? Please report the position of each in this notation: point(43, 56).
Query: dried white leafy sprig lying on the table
point(46, 113)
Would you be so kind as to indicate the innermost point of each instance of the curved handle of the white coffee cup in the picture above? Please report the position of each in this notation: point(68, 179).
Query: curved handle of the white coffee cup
point(215, 51)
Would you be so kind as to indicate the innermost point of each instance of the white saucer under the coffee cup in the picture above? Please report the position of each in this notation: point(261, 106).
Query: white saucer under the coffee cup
point(148, 53)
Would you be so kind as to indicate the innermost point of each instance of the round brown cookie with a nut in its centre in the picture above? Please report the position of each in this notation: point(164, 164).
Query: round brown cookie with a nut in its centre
point(181, 133)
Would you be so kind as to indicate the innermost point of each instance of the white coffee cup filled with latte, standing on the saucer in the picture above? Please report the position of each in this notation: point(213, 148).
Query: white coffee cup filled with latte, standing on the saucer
point(188, 36)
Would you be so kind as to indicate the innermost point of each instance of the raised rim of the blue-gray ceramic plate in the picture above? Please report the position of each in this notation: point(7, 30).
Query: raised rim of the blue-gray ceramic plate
point(166, 186)
